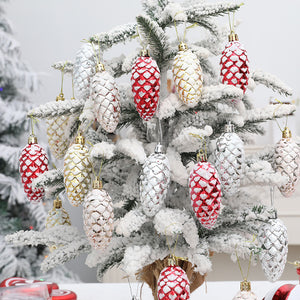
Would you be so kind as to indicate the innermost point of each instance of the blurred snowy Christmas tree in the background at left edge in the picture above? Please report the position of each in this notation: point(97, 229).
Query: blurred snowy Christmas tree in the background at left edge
point(17, 81)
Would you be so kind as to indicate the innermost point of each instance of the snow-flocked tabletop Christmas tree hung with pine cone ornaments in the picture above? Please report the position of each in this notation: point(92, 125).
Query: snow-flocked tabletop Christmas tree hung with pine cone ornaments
point(146, 136)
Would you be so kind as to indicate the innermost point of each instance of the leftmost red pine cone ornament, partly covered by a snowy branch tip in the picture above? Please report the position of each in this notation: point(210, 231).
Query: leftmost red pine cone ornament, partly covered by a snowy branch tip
point(33, 161)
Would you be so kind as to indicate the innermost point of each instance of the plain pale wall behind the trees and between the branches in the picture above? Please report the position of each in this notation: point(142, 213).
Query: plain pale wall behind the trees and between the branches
point(50, 31)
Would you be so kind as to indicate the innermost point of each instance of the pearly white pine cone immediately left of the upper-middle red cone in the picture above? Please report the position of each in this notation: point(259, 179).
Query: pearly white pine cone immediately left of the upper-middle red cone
point(105, 94)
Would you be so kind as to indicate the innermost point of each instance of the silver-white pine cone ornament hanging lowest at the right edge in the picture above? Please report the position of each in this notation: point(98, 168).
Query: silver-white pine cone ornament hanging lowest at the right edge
point(273, 239)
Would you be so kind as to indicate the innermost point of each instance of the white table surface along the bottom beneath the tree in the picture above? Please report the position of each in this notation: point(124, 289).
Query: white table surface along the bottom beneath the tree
point(216, 290)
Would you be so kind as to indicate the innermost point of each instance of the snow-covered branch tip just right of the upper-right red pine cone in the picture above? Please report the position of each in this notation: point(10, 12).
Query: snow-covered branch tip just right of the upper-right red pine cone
point(272, 82)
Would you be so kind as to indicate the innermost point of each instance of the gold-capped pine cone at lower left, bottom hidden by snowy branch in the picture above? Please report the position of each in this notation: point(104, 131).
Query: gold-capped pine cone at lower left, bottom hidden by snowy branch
point(57, 215)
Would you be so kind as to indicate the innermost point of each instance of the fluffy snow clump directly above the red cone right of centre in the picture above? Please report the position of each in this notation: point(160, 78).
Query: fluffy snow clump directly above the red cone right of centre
point(186, 142)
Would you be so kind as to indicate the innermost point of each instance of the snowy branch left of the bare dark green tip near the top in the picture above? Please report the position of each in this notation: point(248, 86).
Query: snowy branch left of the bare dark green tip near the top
point(120, 34)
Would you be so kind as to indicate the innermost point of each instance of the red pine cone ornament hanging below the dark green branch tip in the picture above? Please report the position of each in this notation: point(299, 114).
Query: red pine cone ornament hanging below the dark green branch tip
point(145, 80)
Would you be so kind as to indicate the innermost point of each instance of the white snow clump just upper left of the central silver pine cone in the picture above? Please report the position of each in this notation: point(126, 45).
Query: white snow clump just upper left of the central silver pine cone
point(132, 148)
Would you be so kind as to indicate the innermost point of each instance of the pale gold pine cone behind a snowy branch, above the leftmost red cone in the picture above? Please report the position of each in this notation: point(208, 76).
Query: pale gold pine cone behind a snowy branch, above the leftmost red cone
point(56, 132)
